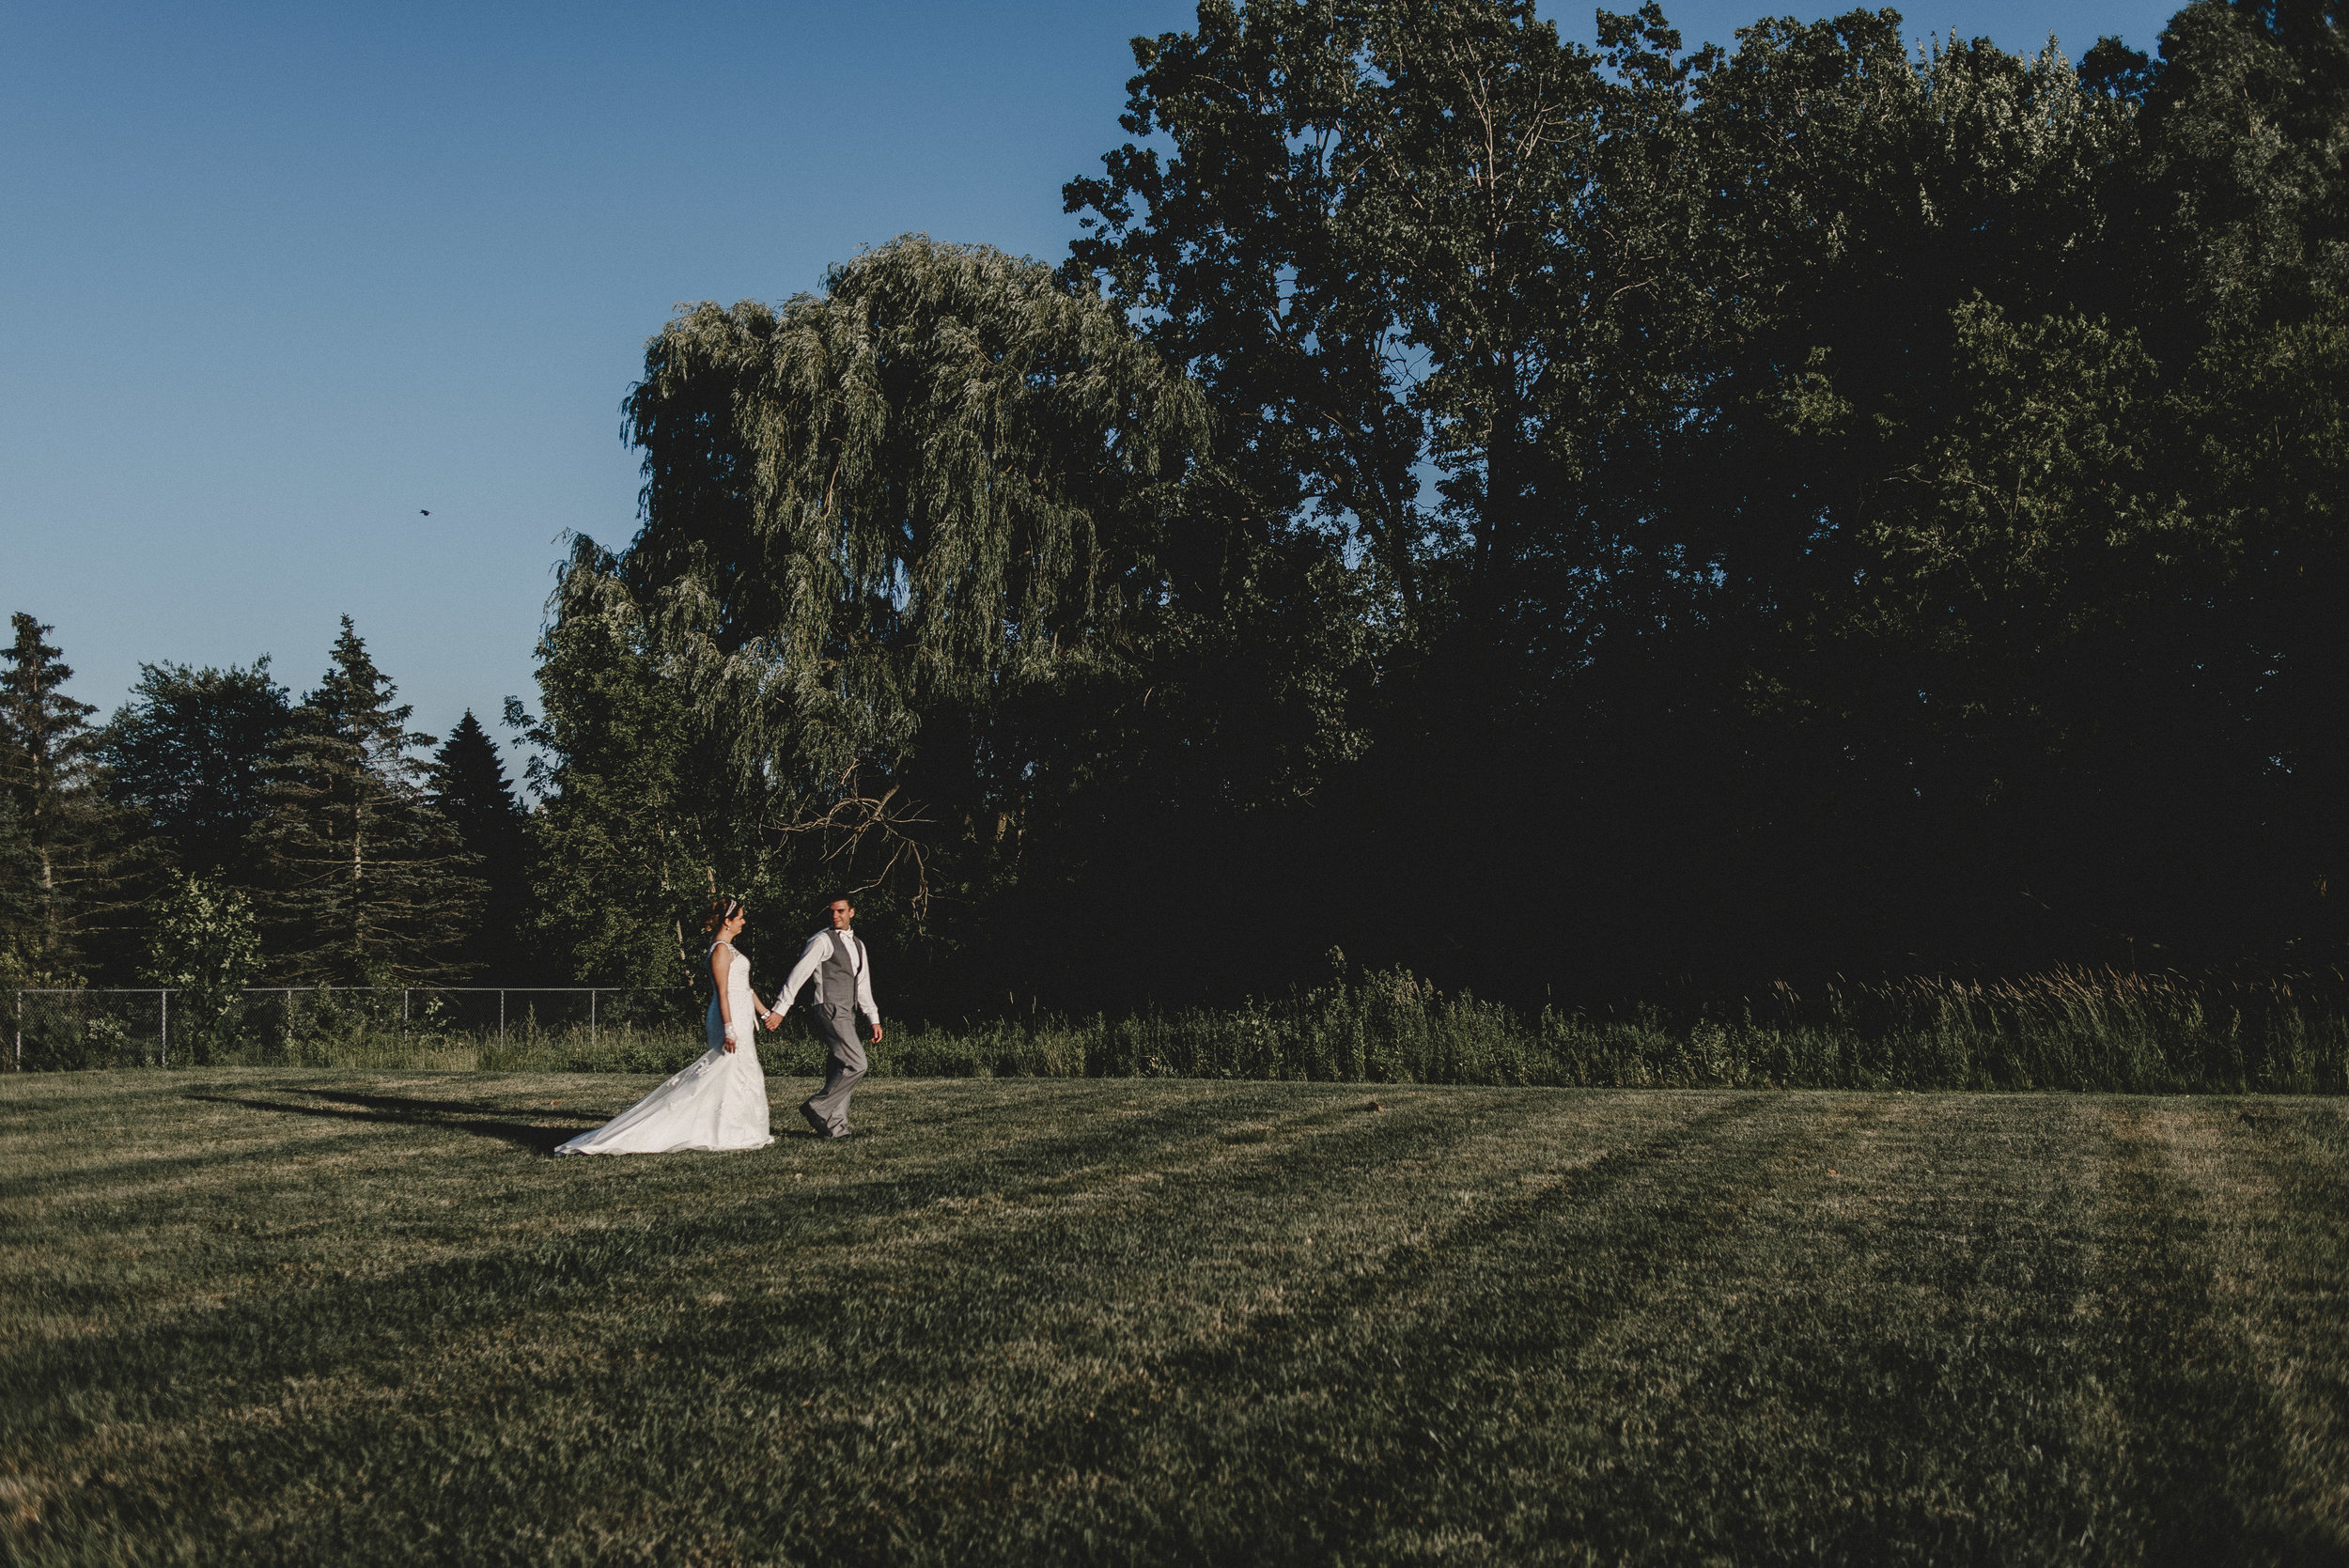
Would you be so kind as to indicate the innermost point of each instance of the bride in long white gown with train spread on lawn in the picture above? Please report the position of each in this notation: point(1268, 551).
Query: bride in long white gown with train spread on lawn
point(720, 1102)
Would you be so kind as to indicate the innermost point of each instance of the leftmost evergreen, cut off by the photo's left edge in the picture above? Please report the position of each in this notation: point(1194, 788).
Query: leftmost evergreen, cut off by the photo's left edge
point(60, 858)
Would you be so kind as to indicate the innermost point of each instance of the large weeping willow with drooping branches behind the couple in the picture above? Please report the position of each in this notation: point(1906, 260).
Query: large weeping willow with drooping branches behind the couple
point(873, 520)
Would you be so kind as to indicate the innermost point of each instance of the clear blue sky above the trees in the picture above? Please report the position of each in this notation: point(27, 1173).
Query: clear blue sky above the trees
point(281, 278)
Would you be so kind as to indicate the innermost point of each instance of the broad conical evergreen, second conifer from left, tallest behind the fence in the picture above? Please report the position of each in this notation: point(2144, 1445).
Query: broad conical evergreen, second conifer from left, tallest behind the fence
point(368, 881)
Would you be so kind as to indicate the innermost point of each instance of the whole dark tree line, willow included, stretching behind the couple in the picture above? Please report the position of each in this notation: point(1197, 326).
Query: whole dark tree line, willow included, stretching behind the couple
point(1575, 522)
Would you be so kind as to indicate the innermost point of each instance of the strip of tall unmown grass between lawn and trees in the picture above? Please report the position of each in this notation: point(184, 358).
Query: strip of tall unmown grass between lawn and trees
point(2064, 1029)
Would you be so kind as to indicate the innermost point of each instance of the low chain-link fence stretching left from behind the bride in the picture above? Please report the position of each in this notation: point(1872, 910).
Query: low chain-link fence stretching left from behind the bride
point(290, 1025)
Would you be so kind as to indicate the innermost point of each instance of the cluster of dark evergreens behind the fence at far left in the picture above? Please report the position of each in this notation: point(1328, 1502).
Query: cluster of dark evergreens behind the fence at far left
point(217, 832)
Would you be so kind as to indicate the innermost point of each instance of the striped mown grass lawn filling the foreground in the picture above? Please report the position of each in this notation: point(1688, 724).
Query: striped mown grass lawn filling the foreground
point(309, 1318)
